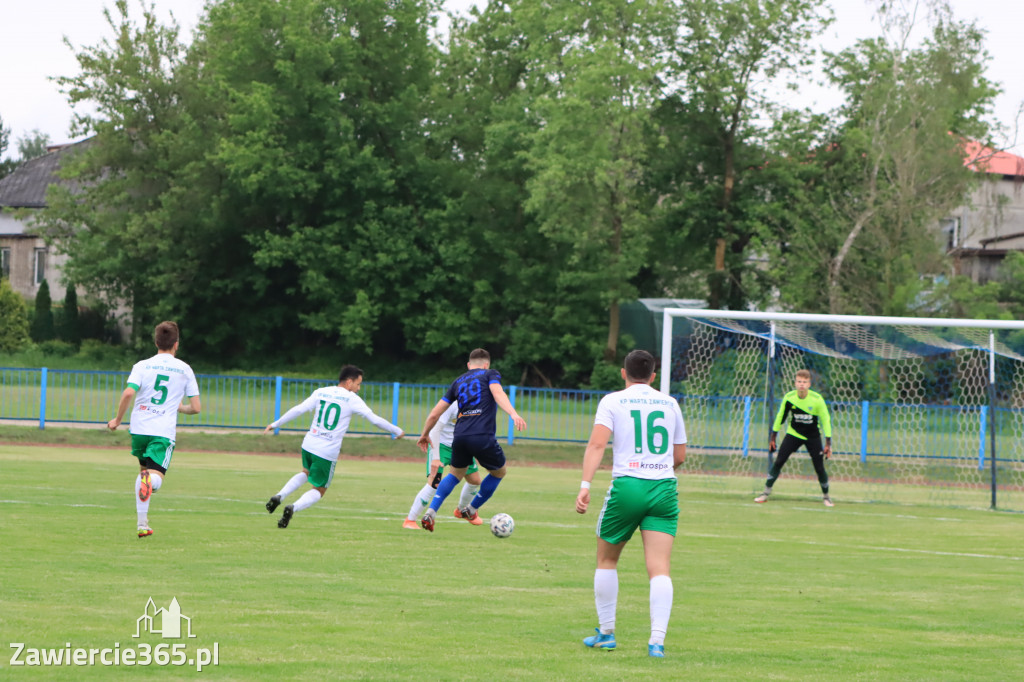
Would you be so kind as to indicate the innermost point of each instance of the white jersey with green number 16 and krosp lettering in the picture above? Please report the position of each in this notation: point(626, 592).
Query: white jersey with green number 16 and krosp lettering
point(646, 424)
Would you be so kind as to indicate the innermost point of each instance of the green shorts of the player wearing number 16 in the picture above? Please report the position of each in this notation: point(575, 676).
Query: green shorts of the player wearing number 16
point(633, 503)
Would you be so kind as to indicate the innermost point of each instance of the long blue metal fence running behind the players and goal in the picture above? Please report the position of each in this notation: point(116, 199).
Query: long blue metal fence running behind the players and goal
point(865, 430)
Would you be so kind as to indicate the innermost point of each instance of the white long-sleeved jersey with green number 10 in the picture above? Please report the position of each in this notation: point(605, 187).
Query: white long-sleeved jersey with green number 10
point(333, 408)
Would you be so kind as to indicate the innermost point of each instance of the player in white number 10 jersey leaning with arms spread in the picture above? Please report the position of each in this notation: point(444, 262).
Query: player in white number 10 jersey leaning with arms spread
point(333, 408)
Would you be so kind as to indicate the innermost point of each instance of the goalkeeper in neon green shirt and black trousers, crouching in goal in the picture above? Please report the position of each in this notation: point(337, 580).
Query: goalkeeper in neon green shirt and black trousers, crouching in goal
point(809, 421)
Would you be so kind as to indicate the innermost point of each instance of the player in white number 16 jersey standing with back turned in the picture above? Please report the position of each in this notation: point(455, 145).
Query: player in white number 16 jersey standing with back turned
point(650, 443)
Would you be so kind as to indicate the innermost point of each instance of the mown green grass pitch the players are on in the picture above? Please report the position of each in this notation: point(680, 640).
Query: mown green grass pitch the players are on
point(785, 591)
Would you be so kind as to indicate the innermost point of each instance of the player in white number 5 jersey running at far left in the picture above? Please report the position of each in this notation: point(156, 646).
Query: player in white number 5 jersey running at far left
point(157, 387)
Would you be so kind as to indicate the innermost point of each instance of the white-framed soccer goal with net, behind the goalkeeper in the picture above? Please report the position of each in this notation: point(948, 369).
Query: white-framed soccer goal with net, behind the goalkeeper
point(923, 411)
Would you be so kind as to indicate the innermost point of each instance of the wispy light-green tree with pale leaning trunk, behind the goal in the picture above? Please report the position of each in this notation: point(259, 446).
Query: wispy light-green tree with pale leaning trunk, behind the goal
point(898, 163)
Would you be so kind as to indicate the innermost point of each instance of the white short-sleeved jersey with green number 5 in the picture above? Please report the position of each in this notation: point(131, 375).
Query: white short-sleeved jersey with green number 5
point(160, 385)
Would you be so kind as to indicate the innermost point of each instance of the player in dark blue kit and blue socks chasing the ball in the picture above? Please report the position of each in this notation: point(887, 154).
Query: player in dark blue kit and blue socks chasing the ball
point(479, 393)
